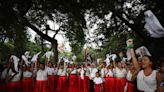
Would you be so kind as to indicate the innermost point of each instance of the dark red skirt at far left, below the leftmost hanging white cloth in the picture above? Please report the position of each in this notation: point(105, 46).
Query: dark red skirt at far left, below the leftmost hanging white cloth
point(15, 86)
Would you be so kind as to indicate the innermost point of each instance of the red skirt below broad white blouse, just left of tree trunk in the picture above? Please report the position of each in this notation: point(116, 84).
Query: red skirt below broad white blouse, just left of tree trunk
point(41, 86)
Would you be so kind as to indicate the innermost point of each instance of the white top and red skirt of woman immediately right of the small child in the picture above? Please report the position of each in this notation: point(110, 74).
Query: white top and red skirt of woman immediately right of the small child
point(109, 83)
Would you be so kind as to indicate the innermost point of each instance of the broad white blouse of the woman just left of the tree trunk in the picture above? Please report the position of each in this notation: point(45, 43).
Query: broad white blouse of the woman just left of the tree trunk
point(42, 75)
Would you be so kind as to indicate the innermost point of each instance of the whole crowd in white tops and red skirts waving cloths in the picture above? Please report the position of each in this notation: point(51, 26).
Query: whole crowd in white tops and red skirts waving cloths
point(116, 75)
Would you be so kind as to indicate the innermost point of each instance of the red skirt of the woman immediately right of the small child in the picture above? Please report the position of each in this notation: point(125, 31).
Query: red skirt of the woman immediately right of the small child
point(109, 84)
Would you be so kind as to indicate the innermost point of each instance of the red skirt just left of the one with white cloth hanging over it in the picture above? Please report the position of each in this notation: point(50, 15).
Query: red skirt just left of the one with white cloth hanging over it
point(73, 83)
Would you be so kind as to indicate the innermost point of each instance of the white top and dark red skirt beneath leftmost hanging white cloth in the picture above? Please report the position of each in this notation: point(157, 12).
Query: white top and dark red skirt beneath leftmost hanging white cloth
point(15, 83)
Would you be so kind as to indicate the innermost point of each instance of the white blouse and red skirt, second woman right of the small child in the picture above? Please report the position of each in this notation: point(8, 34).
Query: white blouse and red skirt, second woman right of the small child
point(120, 80)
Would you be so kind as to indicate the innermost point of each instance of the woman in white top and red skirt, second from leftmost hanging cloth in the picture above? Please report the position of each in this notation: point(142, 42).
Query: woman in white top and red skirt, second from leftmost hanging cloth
point(27, 82)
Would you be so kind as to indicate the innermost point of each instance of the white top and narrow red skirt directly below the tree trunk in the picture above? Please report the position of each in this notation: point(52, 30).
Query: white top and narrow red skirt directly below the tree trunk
point(51, 79)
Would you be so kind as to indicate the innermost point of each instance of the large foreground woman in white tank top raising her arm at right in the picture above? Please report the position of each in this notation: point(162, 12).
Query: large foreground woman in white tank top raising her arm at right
point(147, 78)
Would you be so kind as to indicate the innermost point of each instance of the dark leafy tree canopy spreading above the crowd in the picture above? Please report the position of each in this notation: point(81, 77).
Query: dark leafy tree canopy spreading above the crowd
point(75, 18)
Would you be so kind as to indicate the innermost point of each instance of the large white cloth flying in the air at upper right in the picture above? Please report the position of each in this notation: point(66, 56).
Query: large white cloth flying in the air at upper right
point(152, 25)
